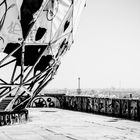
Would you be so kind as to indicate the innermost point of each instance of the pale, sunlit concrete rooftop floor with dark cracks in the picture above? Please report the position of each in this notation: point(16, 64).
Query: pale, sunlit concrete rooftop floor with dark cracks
point(57, 124)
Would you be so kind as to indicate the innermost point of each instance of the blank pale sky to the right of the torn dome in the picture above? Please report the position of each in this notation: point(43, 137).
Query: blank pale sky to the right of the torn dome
point(106, 51)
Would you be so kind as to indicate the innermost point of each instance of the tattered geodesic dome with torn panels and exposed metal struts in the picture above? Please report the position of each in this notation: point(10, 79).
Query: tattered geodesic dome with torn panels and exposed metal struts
point(34, 36)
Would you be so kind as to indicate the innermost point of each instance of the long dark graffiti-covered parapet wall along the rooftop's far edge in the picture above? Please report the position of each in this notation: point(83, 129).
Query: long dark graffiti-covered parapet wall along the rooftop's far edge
point(123, 108)
